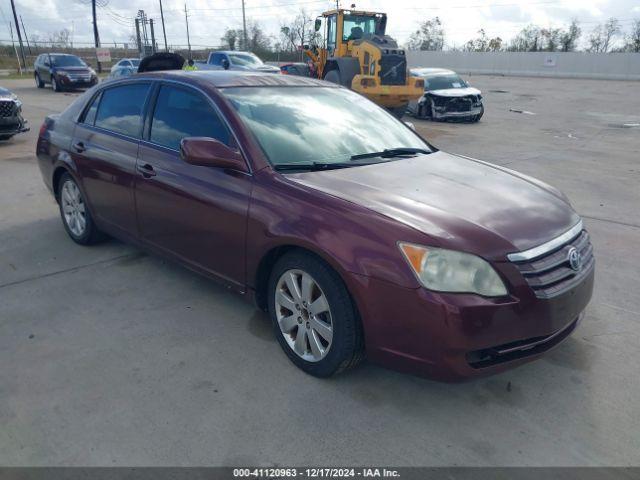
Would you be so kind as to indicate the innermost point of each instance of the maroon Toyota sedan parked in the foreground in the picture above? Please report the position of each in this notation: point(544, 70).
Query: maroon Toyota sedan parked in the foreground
point(354, 233)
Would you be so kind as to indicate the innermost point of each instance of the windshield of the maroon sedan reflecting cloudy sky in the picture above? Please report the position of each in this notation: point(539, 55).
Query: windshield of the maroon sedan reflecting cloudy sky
point(303, 125)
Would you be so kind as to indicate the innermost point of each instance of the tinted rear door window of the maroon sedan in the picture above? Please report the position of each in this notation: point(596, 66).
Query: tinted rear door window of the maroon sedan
point(121, 109)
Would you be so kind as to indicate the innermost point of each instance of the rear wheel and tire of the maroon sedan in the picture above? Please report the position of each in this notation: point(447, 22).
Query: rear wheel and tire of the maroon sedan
point(75, 214)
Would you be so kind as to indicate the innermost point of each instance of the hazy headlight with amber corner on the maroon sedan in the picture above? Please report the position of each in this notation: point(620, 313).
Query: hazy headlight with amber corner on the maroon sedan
point(450, 271)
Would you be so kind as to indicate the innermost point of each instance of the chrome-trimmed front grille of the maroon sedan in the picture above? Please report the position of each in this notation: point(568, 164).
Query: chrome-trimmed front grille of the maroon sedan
point(551, 274)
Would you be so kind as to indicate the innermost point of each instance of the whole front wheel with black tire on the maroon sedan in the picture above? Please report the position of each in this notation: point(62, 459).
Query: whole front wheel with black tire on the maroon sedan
point(313, 316)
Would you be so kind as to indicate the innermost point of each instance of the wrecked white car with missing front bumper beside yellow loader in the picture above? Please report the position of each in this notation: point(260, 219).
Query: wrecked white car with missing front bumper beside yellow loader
point(447, 96)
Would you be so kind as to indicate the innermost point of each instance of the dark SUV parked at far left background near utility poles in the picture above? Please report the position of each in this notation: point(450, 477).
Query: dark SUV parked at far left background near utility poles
point(63, 71)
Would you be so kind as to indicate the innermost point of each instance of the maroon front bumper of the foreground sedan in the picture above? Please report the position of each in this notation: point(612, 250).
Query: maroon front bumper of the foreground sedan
point(452, 337)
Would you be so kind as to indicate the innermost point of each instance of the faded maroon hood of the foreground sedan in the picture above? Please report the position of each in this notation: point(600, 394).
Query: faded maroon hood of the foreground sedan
point(461, 203)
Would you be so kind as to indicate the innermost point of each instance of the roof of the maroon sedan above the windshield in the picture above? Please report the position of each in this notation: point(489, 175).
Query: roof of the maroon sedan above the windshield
point(234, 78)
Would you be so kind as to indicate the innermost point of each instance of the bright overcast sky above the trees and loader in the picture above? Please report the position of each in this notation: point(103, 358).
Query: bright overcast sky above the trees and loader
point(209, 18)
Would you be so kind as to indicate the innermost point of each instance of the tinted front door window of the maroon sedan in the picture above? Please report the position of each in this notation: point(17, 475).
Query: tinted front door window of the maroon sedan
point(181, 113)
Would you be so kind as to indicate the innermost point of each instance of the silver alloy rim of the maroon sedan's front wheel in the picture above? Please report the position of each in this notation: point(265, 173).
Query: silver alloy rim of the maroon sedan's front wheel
point(303, 315)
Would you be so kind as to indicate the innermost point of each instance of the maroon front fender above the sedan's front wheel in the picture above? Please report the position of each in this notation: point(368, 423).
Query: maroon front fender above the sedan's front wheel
point(349, 237)
